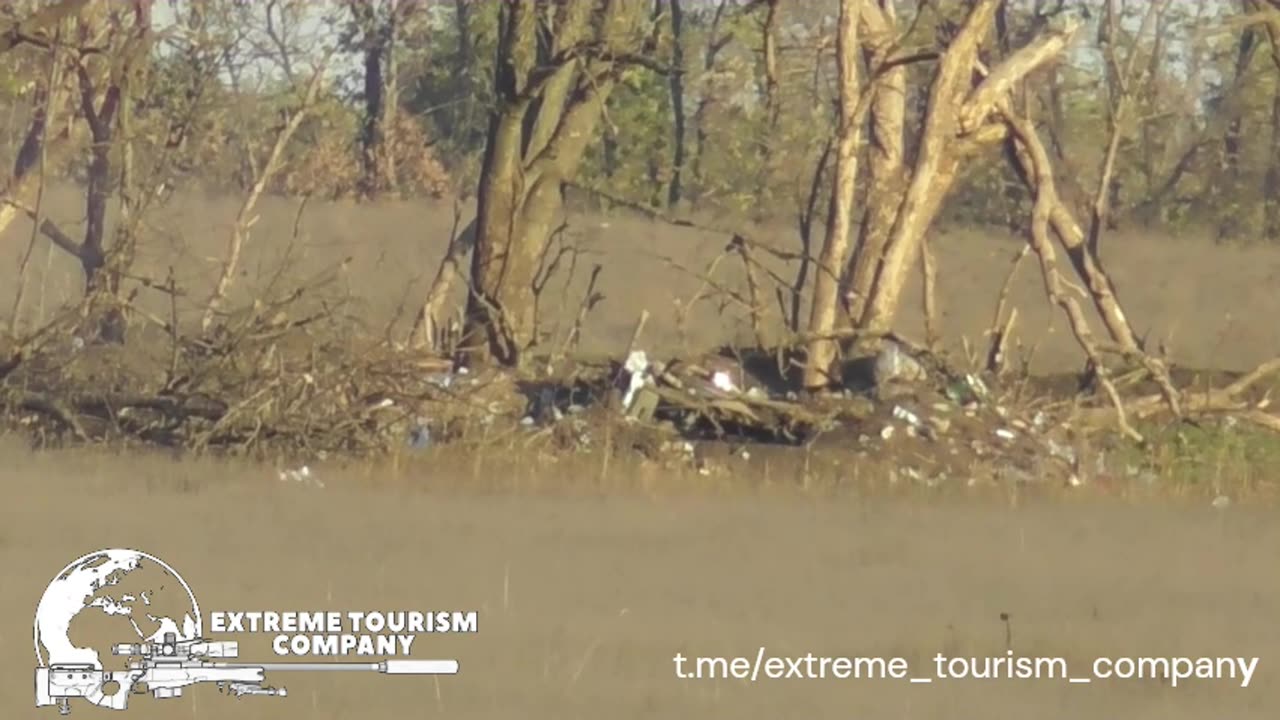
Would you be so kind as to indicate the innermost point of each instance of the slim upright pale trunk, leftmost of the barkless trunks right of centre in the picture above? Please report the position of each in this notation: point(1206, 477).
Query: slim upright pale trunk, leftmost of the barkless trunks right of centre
point(821, 352)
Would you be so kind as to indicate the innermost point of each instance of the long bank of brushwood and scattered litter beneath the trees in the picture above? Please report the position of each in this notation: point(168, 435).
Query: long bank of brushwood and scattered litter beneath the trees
point(255, 391)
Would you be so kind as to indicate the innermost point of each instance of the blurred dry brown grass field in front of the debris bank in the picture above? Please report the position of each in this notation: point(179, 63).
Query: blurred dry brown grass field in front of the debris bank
point(586, 598)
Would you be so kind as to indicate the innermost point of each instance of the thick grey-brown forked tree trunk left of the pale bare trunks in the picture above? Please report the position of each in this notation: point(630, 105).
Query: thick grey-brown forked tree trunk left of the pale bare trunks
point(547, 113)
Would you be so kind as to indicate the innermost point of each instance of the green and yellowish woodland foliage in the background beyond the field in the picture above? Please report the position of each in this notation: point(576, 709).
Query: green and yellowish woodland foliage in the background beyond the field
point(1174, 167)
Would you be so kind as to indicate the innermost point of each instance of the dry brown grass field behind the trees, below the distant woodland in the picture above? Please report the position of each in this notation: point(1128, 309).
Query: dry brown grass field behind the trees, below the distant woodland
point(1212, 306)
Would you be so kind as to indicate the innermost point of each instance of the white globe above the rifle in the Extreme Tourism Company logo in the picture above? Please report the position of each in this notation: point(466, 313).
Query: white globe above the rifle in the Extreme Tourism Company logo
point(131, 595)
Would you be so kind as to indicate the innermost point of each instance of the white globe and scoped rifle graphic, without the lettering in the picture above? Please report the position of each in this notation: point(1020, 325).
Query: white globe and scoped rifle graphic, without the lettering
point(141, 613)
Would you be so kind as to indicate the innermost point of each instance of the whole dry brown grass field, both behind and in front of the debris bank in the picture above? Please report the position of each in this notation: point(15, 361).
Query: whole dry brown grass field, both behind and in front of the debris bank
point(588, 587)
